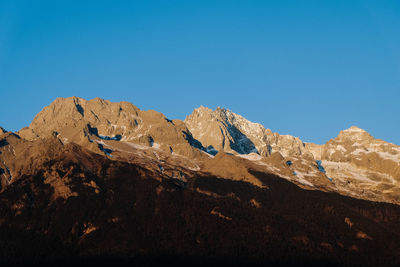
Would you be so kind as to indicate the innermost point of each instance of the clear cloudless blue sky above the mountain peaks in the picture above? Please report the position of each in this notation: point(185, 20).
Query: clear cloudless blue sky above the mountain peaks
point(306, 68)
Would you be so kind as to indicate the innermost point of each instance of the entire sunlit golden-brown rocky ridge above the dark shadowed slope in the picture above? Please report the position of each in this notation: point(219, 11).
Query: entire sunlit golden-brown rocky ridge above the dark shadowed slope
point(120, 129)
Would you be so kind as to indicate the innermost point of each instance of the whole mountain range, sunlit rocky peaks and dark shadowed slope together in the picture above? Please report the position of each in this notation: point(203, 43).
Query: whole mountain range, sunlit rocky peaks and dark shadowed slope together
point(96, 181)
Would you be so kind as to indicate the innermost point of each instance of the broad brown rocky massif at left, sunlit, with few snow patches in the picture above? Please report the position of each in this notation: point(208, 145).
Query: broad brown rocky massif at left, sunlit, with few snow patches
point(89, 122)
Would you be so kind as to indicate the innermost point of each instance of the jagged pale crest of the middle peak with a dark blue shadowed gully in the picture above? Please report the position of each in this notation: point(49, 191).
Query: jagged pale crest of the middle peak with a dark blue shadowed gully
point(224, 130)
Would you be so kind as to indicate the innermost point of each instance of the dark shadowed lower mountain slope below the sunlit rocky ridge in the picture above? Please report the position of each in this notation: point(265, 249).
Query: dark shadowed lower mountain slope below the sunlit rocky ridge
point(124, 211)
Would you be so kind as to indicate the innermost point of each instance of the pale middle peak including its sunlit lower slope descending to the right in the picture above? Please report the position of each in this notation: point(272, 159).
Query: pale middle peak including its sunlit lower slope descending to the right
point(283, 155)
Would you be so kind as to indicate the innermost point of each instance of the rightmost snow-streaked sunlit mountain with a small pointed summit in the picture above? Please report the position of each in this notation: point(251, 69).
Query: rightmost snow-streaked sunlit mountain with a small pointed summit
point(363, 166)
